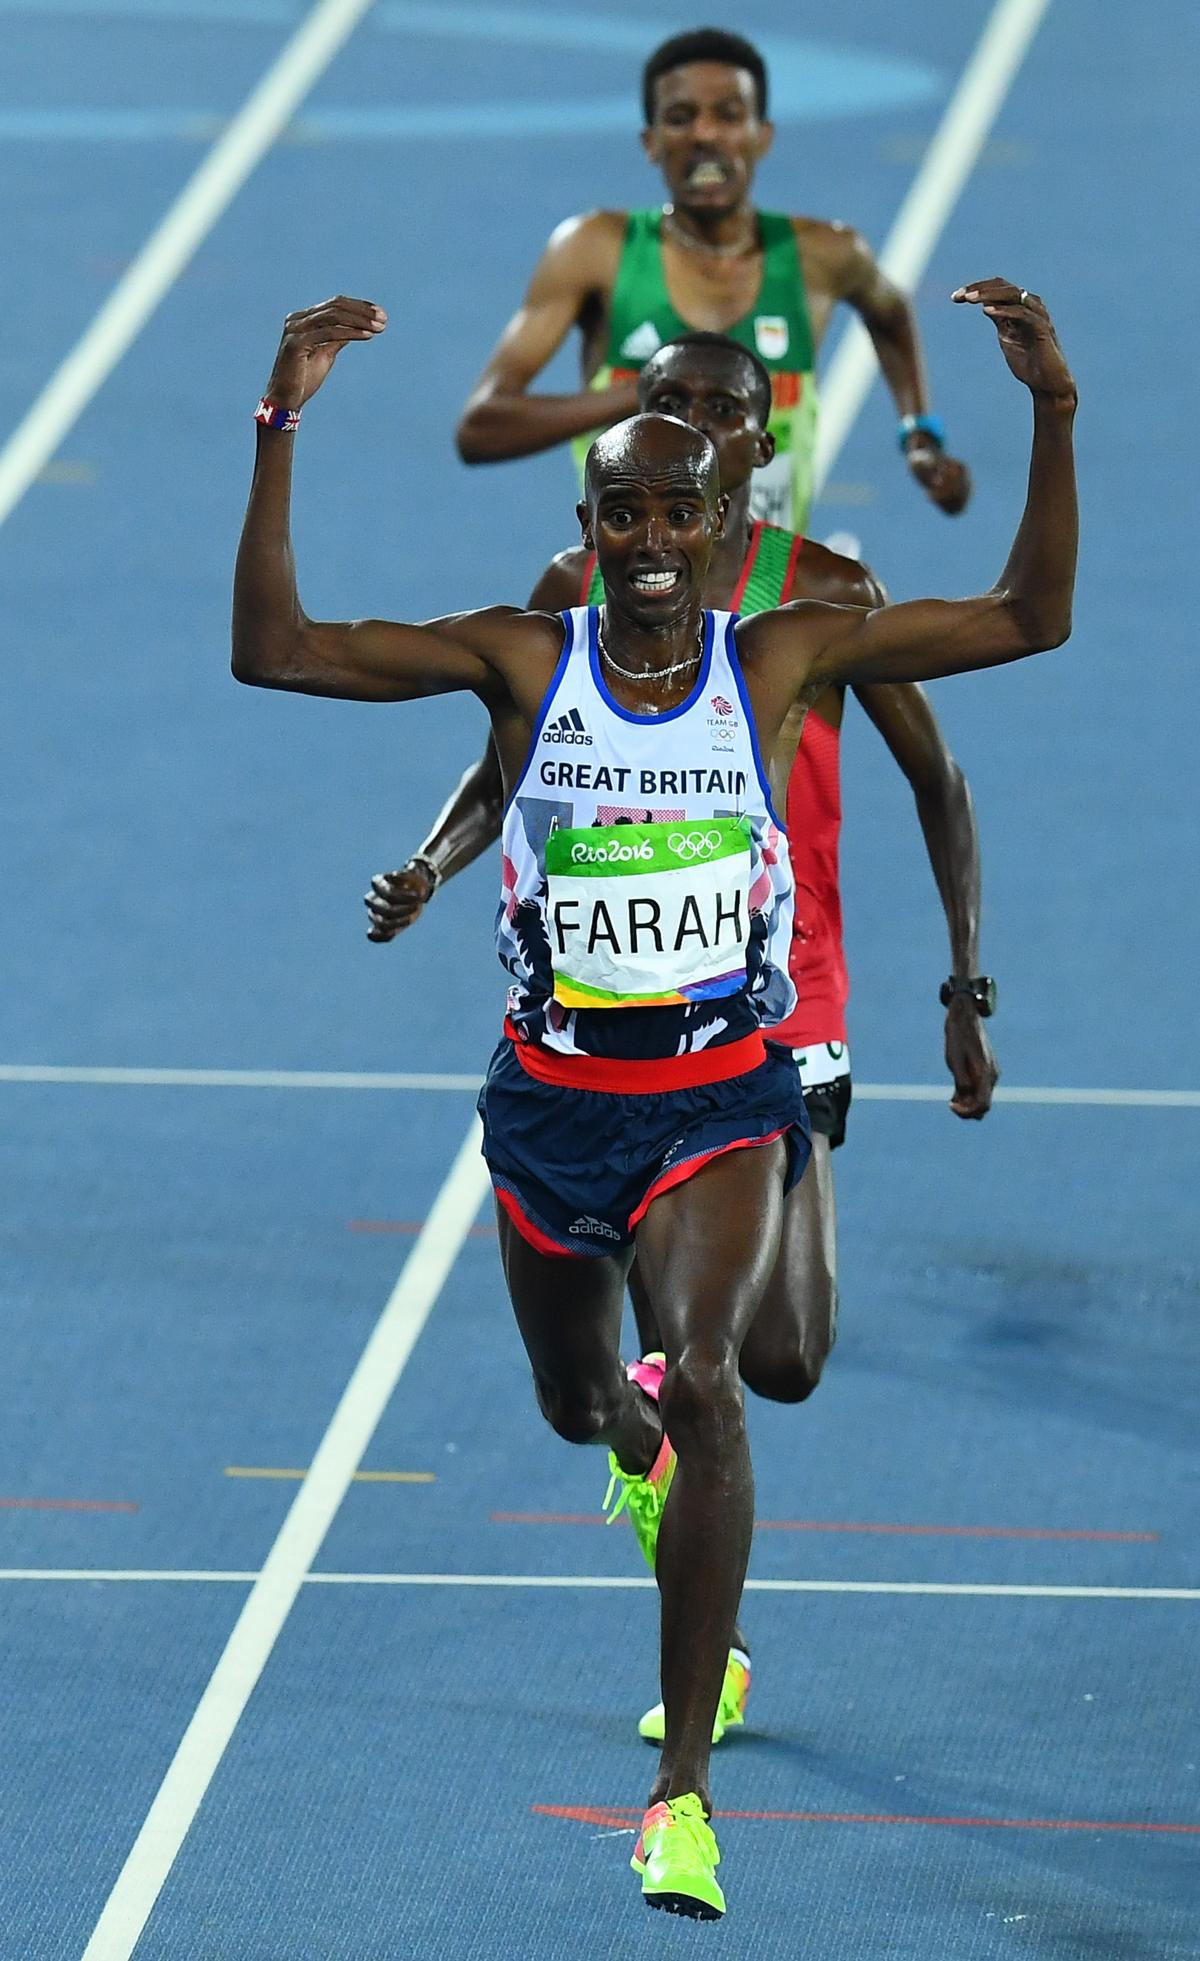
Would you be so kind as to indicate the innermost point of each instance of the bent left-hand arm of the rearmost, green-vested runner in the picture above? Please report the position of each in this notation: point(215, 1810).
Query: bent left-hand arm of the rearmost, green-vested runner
point(574, 276)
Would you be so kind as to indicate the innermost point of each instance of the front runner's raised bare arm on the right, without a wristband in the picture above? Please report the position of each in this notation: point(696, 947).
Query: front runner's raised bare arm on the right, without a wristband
point(1030, 605)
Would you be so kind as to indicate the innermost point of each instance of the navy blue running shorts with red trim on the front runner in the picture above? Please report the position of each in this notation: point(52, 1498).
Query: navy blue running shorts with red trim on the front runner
point(577, 1170)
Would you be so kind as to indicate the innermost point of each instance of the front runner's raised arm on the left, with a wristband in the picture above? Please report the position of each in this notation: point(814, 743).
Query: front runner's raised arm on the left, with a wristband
point(275, 644)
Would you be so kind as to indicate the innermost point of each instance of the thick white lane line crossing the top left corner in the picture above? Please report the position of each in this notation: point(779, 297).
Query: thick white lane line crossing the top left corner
point(166, 254)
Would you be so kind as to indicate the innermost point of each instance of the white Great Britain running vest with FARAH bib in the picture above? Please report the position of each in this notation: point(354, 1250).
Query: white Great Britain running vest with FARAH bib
point(646, 885)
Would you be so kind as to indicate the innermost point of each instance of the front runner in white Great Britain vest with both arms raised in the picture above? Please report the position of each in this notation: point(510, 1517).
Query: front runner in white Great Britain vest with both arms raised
point(646, 960)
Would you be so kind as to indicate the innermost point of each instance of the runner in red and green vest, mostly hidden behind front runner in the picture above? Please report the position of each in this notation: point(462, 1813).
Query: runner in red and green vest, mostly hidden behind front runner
point(721, 387)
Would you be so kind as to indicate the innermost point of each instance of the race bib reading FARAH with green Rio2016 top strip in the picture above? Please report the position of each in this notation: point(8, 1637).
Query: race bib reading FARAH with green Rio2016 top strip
point(648, 915)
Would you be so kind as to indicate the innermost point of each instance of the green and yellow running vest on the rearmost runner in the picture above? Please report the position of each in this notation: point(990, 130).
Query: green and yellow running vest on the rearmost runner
point(779, 330)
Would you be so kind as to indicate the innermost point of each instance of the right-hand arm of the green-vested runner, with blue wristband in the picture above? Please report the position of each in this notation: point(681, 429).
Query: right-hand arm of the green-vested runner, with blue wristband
point(891, 323)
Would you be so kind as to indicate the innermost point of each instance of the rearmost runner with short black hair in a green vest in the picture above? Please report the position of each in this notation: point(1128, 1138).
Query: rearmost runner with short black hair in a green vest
point(709, 260)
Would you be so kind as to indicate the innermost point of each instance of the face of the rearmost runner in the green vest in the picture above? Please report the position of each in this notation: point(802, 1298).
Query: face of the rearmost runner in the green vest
point(707, 136)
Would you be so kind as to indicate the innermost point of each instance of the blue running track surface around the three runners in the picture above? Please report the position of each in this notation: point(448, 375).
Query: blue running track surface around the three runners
point(193, 1272)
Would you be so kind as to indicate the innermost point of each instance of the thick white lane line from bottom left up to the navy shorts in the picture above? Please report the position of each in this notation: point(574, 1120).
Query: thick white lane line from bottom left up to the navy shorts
point(291, 1558)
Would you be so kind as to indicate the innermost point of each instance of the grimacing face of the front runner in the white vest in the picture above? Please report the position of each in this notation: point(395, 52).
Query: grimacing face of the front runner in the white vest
point(654, 534)
